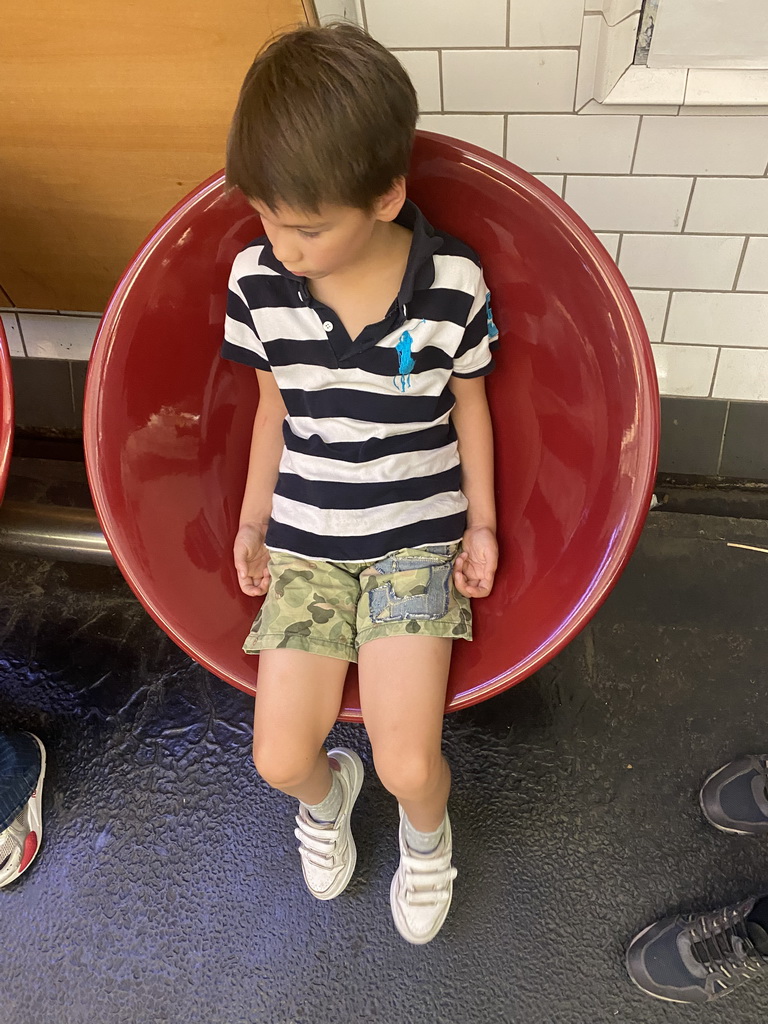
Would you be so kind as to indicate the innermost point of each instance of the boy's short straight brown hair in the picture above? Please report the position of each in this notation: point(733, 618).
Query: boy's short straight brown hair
point(325, 116)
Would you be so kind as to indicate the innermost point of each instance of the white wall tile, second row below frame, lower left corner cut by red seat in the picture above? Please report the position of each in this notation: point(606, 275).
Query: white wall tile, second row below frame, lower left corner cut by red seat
point(630, 203)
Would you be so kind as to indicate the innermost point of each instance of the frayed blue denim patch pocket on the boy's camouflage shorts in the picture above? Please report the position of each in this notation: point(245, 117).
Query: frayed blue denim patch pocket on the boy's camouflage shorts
point(414, 590)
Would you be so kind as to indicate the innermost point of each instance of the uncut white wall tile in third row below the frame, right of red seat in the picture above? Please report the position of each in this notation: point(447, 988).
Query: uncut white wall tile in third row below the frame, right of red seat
point(680, 262)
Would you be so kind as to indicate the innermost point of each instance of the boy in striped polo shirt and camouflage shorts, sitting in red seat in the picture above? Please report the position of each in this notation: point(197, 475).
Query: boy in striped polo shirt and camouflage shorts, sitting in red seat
point(372, 454)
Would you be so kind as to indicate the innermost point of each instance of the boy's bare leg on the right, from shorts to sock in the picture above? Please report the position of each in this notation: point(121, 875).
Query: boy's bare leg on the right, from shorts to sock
point(403, 698)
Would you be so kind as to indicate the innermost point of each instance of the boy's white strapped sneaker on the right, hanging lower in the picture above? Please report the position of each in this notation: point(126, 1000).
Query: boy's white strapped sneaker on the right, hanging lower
point(422, 888)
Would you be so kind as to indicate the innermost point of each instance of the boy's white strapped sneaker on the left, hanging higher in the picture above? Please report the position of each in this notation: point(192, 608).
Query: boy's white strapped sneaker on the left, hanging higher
point(328, 852)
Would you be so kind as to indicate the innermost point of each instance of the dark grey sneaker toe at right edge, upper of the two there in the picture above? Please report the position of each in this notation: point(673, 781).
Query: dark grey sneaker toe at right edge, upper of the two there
point(735, 798)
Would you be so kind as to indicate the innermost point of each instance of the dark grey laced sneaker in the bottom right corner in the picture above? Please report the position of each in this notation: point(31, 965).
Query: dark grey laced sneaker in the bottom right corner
point(699, 958)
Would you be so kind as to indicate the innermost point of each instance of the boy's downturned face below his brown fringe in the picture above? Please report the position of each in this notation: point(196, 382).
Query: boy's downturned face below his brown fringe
point(319, 245)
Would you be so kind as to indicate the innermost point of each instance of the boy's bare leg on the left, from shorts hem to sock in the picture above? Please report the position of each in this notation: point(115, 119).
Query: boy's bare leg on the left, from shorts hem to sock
point(298, 697)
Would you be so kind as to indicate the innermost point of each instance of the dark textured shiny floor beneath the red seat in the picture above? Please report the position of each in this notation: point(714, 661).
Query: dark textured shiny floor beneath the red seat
point(168, 890)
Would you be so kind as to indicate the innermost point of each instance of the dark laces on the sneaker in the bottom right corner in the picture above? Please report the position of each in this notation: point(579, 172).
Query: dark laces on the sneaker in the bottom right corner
point(721, 944)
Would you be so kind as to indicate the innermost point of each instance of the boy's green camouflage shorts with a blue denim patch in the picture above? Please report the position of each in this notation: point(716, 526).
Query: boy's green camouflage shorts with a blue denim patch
point(334, 608)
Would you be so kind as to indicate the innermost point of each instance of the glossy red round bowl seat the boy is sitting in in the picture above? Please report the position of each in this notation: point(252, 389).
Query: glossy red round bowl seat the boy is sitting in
point(574, 399)
